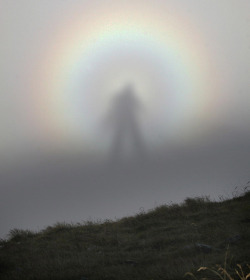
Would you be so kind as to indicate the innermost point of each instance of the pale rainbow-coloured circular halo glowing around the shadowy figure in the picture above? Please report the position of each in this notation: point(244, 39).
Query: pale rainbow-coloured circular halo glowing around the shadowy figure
point(93, 55)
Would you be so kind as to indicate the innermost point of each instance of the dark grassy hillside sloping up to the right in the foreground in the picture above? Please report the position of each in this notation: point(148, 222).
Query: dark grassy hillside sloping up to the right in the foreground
point(163, 243)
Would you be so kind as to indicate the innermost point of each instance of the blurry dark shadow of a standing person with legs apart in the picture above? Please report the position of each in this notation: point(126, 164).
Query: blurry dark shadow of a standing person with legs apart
point(123, 118)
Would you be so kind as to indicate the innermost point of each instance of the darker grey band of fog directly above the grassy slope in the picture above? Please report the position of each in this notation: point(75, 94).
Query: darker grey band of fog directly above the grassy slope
point(41, 192)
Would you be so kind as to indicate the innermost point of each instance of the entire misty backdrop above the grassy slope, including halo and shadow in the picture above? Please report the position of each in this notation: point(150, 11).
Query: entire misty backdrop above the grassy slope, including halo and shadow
point(65, 68)
